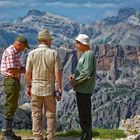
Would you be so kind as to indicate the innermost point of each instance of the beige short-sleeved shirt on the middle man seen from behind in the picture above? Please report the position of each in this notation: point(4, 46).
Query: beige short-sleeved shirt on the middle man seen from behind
point(43, 62)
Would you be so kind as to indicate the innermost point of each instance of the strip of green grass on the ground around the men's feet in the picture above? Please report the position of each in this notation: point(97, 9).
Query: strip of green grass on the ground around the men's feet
point(97, 133)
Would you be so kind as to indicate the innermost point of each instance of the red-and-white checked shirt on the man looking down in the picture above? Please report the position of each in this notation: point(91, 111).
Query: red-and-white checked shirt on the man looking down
point(10, 59)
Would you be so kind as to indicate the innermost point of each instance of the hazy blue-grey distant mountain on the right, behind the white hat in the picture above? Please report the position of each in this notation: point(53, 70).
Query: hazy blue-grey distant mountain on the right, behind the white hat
point(122, 29)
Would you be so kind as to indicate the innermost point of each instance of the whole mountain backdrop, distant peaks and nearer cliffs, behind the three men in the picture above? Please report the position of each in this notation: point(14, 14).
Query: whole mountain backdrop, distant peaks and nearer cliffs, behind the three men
point(115, 41)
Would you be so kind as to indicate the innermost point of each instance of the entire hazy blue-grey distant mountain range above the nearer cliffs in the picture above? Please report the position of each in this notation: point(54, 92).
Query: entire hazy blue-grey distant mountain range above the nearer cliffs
point(122, 29)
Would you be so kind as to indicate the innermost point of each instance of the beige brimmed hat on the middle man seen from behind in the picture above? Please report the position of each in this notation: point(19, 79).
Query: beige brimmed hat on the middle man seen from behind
point(44, 35)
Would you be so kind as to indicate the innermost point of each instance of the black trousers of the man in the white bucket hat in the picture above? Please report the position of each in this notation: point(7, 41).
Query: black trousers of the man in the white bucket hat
point(84, 111)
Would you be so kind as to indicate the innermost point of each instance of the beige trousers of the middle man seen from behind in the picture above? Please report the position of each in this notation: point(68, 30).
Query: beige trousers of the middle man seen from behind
point(49, 104)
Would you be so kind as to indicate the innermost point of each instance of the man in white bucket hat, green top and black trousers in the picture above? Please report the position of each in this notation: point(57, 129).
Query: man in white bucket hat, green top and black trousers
point(83, 82)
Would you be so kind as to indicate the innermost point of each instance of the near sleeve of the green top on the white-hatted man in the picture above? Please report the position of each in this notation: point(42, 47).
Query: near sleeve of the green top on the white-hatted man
point(87, 69)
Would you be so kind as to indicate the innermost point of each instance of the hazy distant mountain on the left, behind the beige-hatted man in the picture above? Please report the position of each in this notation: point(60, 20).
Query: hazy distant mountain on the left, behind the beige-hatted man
point(61, 28)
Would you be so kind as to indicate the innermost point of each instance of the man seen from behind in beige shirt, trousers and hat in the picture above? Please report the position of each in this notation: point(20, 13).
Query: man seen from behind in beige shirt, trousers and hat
point(43, 67)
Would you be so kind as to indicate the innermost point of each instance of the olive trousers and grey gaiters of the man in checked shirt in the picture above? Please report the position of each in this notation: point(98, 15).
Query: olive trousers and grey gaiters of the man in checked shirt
point(12, 90)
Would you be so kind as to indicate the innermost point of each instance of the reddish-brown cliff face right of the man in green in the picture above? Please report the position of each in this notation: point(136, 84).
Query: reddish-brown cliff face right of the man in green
point(114, 56)
